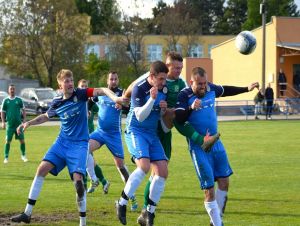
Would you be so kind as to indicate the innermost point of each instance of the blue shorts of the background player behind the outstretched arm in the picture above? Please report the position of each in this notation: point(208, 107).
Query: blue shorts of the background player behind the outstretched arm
point(113, 141)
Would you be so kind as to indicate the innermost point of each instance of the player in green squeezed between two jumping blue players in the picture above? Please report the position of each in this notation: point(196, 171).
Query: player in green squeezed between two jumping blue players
point(174, 84)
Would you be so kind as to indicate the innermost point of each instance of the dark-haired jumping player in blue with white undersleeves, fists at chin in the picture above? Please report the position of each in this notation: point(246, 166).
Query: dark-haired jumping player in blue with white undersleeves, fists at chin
point(148, 104)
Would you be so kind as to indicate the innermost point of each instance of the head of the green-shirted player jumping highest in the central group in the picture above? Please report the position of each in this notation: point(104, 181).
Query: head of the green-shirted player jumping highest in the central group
point(174, 64)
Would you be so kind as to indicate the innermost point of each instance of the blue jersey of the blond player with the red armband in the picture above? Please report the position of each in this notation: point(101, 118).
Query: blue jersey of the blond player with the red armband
point(73, 115)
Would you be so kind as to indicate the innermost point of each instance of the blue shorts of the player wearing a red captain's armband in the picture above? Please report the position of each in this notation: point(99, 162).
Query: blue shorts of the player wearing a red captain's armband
point(72, 154)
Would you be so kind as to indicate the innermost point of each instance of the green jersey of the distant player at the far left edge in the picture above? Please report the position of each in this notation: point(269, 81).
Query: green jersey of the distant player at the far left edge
point(12, 109)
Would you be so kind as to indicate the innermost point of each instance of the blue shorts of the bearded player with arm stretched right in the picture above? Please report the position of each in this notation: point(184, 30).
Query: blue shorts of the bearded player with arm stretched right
point(210, 166)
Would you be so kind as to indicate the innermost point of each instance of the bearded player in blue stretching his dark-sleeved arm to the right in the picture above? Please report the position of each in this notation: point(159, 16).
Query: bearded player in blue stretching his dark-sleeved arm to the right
point(196, 105)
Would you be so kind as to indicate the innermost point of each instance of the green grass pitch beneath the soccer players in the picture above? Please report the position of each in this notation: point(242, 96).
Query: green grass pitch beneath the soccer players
point(264, 189)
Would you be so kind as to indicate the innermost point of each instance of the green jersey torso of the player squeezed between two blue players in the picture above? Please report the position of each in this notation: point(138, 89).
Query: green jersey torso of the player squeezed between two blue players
point(174, 87)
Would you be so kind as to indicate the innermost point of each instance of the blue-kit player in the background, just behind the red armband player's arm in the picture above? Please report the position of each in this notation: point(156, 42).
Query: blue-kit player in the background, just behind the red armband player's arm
point(109, 131)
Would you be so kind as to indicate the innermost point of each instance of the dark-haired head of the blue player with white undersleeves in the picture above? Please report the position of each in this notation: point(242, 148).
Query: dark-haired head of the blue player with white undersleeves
point(158, 74)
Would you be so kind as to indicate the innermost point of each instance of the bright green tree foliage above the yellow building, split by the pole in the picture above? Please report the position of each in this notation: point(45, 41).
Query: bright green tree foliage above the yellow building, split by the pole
point(273, 8)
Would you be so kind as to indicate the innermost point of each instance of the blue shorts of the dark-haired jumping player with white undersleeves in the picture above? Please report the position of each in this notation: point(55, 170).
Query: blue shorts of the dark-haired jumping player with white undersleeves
point(145, 145)
